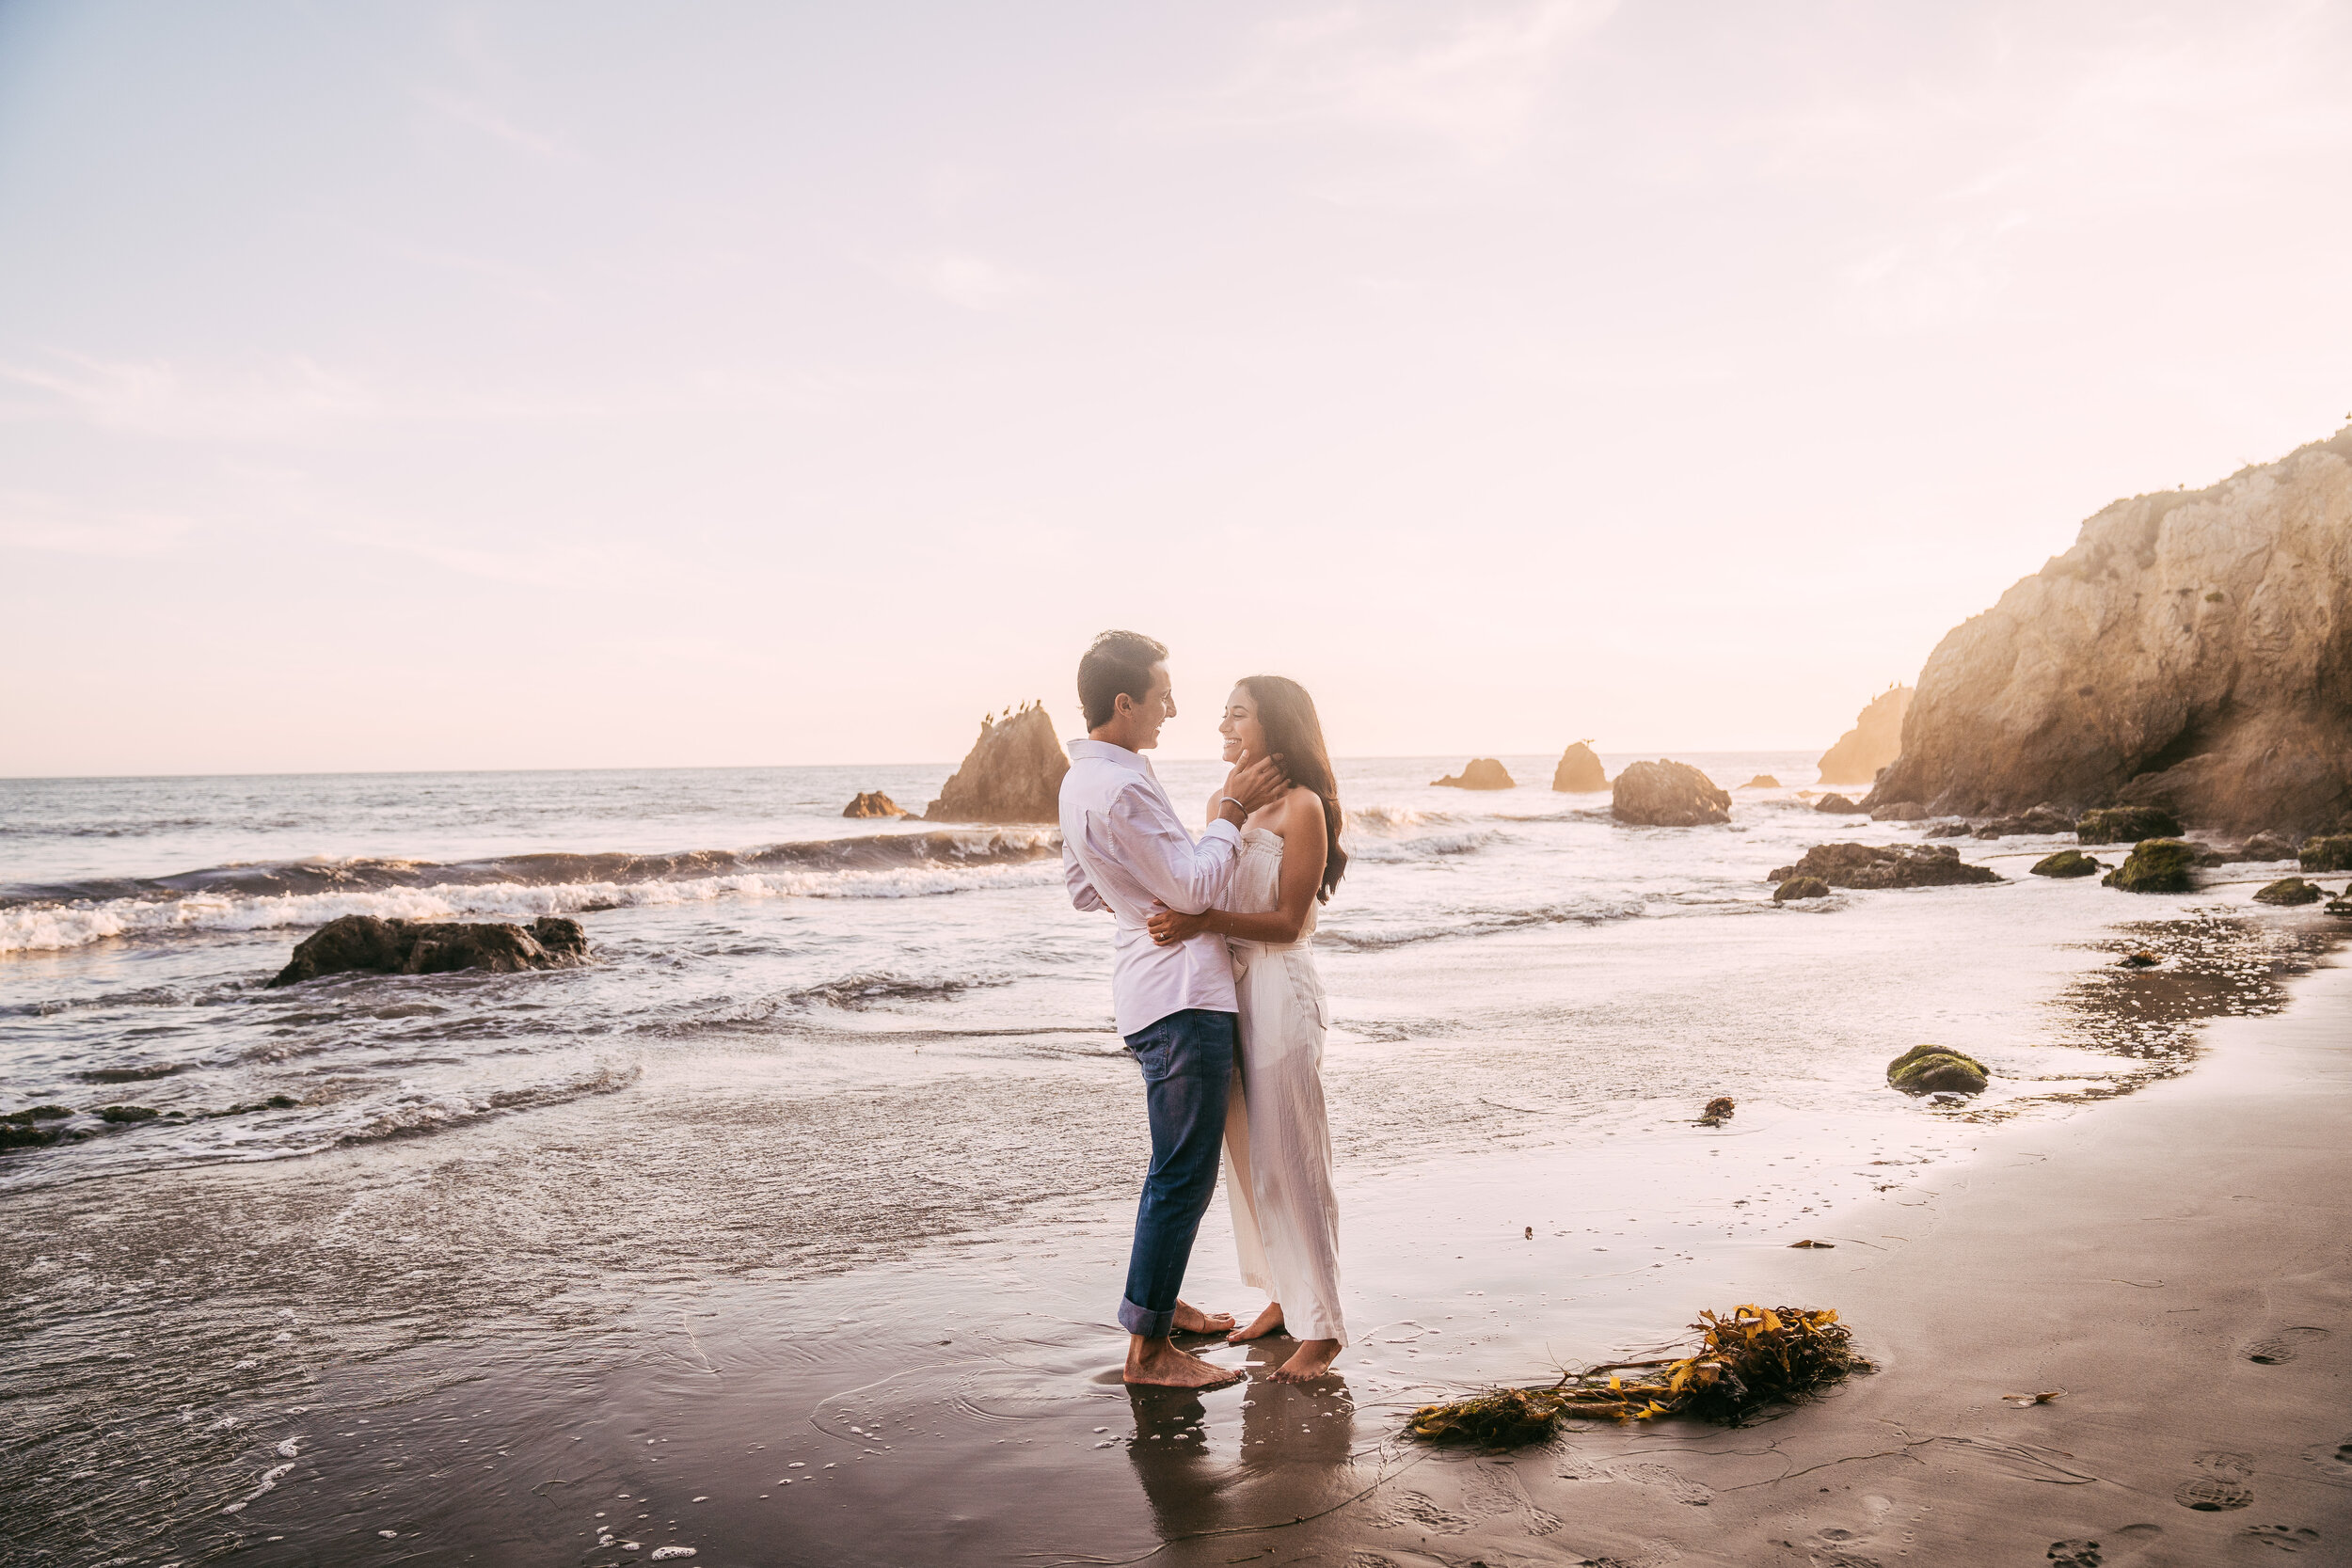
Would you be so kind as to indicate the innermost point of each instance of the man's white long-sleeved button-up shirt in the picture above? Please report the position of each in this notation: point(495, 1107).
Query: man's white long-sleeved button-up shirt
point(1125, 850)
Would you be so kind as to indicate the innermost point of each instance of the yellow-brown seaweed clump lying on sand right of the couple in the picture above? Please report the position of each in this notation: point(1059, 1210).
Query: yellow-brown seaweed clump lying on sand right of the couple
point(1746, 1360)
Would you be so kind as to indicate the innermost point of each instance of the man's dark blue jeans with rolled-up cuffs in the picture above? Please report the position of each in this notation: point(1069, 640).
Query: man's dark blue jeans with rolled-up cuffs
point(1187, 1076)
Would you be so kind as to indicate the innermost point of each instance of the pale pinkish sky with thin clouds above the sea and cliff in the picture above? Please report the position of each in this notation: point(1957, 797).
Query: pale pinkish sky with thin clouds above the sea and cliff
point(479, 387)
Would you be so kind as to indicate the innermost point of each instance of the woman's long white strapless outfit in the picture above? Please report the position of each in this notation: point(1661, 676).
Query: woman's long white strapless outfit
point(1278, 1144)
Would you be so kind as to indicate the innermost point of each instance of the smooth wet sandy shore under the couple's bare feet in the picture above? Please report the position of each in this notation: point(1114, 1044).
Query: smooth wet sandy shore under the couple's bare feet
point(575, 1336)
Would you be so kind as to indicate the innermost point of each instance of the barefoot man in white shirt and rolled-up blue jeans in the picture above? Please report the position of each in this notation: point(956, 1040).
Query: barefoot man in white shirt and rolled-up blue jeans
point(1125, 850)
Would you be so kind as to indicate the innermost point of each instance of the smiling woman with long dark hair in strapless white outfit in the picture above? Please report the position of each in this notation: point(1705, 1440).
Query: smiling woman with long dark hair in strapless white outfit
point(1278, 1144)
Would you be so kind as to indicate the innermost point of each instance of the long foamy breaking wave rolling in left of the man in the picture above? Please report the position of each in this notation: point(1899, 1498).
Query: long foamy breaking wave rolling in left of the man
point(321, 890)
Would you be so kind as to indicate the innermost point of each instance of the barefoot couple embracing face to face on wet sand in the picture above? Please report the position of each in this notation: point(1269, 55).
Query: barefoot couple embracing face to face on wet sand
point(1217, 998)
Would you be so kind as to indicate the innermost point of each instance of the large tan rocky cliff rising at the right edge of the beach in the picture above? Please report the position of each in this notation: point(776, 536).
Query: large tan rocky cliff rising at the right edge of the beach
point(2191, 652)
